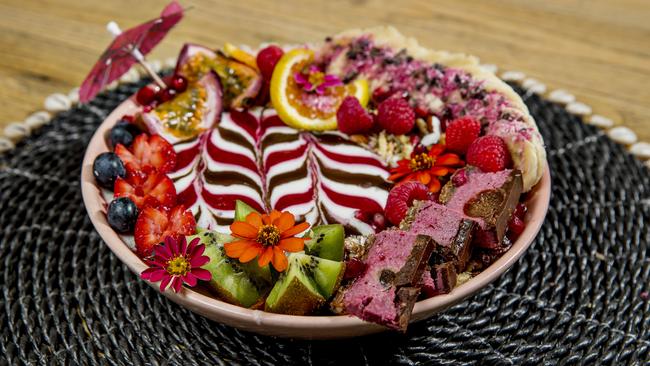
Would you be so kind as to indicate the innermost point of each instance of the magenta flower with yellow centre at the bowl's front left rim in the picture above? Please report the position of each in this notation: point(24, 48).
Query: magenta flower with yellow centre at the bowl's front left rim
point(175, 262)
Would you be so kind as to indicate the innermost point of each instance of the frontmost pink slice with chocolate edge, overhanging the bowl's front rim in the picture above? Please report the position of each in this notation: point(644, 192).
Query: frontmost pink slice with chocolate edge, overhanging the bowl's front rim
point(387, 291)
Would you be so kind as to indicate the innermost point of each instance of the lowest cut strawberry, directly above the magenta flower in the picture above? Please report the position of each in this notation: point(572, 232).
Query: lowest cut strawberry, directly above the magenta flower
point(155, 224)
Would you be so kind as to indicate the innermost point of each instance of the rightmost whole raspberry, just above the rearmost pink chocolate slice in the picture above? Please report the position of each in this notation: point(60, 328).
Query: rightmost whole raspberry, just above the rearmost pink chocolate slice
point(489, 153)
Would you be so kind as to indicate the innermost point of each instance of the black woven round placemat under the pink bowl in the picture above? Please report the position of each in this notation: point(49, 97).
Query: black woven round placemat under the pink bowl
point(577, 296)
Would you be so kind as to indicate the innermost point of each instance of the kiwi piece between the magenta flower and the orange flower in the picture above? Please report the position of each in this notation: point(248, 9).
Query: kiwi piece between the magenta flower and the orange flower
point(242, 284)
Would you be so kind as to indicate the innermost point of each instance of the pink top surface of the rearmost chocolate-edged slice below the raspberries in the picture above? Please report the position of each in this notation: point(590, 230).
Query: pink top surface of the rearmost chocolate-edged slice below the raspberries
point(477, 182)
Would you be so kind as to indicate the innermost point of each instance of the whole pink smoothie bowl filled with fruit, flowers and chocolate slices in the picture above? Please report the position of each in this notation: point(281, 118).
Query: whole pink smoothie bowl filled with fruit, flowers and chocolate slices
point(323, 191)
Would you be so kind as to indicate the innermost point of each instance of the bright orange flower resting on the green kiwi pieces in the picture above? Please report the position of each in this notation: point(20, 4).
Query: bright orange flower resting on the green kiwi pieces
point(267, 237)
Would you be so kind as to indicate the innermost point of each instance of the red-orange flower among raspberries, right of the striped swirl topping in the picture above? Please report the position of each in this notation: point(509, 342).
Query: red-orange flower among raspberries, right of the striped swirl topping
point(426, 167)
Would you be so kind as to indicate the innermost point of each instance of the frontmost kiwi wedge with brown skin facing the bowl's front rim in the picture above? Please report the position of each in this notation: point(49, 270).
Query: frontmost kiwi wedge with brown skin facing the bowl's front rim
point(305, 286)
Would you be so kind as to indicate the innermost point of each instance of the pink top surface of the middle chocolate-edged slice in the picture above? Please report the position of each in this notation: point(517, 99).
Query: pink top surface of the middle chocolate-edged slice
point(439, 222)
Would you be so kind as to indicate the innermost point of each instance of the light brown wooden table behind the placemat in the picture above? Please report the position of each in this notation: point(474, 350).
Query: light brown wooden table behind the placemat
point(598, 50)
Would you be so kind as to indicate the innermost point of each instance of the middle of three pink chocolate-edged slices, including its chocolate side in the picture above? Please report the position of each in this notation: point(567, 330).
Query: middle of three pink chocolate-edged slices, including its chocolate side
point(451, 231)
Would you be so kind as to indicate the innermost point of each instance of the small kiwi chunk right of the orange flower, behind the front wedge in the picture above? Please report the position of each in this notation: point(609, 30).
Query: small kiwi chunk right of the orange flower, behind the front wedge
point(326, 242)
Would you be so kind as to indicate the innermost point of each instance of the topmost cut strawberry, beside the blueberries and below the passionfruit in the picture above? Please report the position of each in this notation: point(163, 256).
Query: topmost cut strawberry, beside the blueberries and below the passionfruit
point(148, 153)
